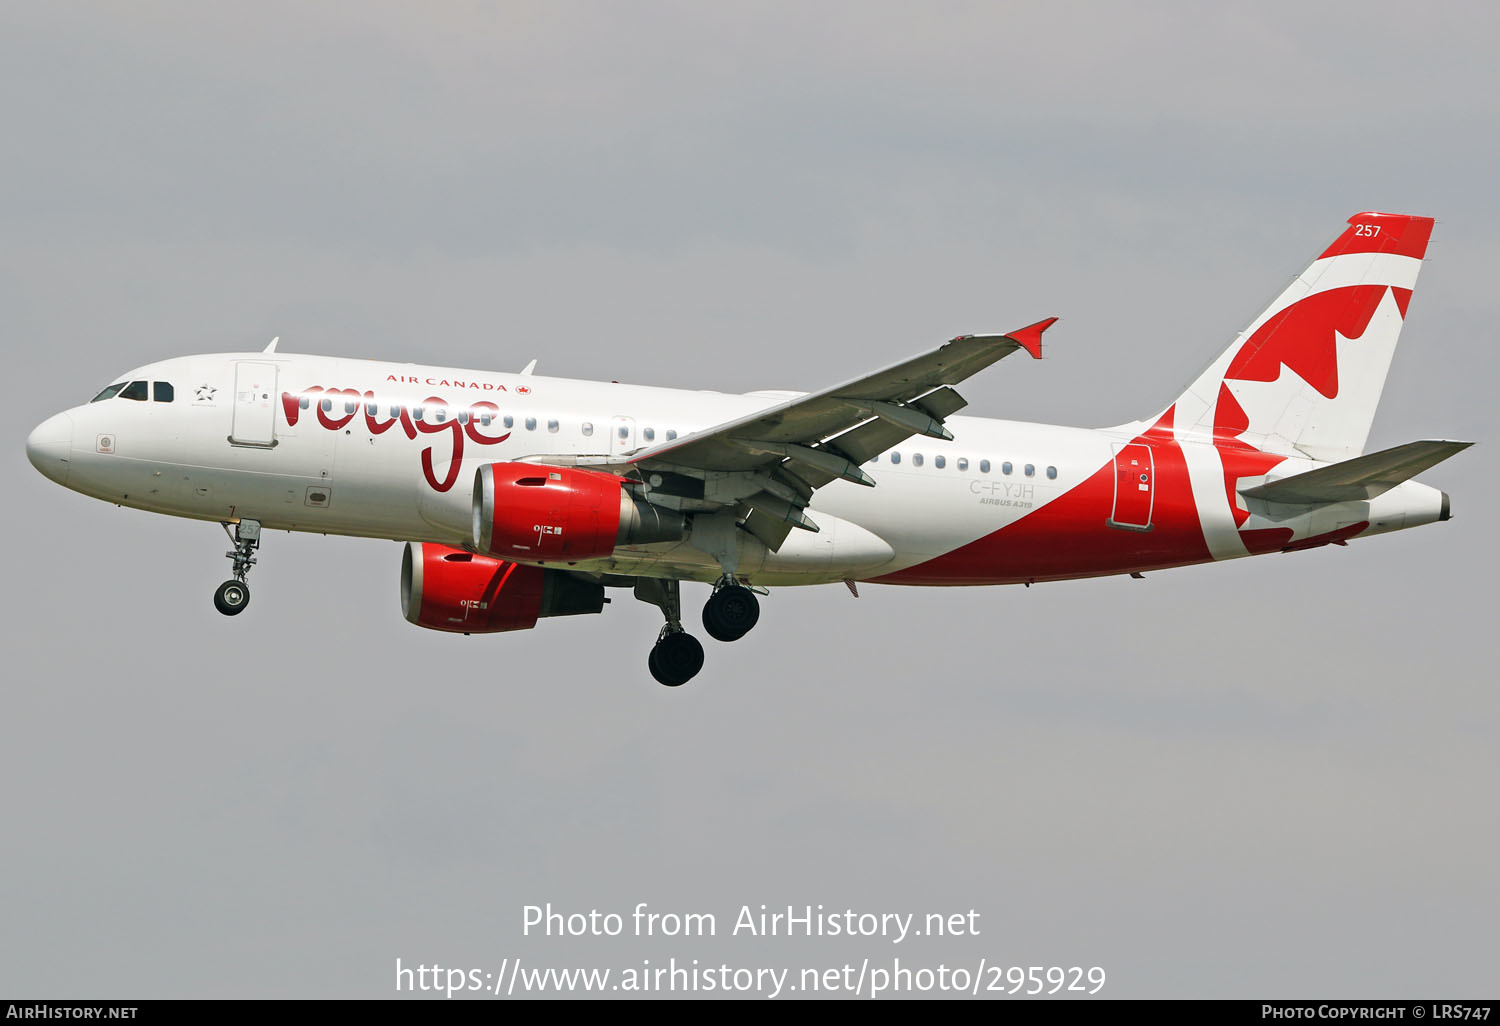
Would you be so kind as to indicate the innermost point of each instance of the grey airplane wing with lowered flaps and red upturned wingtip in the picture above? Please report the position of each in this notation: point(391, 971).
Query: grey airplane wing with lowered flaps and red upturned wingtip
point(767, 466)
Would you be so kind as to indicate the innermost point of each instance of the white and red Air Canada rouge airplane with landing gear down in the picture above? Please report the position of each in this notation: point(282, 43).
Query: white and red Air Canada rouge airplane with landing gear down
point(523, 497)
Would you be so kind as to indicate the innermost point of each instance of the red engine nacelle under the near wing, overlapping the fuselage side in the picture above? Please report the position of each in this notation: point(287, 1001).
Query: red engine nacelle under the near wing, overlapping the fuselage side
point(562, 514)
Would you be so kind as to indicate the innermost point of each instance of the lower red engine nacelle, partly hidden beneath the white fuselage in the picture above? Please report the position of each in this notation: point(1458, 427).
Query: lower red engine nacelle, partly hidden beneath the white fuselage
point(445, 589)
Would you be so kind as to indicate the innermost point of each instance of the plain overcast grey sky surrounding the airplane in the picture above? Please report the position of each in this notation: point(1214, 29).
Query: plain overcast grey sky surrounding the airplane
point(1268, 778)
